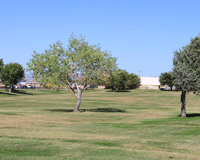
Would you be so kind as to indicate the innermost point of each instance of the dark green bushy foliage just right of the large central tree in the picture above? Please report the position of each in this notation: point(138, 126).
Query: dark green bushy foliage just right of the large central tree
point(121, 79)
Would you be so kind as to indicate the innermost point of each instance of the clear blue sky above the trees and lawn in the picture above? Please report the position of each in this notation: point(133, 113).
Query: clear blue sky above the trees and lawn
point(142, 34)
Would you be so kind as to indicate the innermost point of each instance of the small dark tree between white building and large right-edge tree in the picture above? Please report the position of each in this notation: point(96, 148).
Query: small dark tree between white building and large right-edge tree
point(166, 79)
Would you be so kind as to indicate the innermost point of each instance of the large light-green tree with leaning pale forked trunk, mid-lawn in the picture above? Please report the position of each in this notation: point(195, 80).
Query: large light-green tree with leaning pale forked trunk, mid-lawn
point(80, 64)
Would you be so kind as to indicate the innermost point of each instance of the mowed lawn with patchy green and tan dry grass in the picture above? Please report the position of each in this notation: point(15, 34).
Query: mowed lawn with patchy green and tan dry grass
point(139, 124)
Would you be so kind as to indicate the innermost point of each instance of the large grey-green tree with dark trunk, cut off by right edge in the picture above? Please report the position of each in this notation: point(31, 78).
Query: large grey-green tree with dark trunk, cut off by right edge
point(186, 70)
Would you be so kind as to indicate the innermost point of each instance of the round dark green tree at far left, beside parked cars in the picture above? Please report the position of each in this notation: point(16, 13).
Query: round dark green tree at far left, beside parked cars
point(11, 74)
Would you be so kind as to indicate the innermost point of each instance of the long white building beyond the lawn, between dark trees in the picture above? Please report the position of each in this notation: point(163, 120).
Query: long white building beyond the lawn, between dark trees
point(149, 83)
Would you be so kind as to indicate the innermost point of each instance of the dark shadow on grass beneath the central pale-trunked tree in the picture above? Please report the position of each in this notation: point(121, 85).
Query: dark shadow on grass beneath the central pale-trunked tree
point(88, 110)
